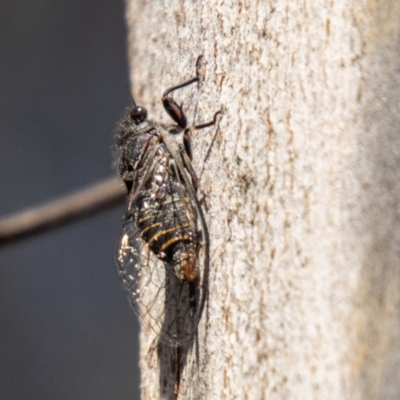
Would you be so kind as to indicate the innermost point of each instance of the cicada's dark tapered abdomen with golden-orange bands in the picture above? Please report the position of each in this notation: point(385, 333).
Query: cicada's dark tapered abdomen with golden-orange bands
point(166, 218)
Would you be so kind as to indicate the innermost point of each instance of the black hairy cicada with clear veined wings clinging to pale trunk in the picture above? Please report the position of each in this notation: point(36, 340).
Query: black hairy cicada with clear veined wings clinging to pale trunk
point(162, 254)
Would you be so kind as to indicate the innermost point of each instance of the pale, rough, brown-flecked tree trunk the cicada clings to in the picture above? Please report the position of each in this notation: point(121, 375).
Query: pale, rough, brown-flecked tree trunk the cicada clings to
point(303, 192)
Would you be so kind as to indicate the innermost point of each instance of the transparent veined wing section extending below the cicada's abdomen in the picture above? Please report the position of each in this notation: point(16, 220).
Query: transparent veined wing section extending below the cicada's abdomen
point(164, 303)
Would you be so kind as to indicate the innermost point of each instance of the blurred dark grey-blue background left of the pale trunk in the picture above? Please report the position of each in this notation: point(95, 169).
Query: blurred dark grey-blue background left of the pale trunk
point(66, 330)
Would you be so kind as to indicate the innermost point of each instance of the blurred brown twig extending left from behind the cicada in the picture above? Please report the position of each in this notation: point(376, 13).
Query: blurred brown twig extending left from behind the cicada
point(60, 212)
